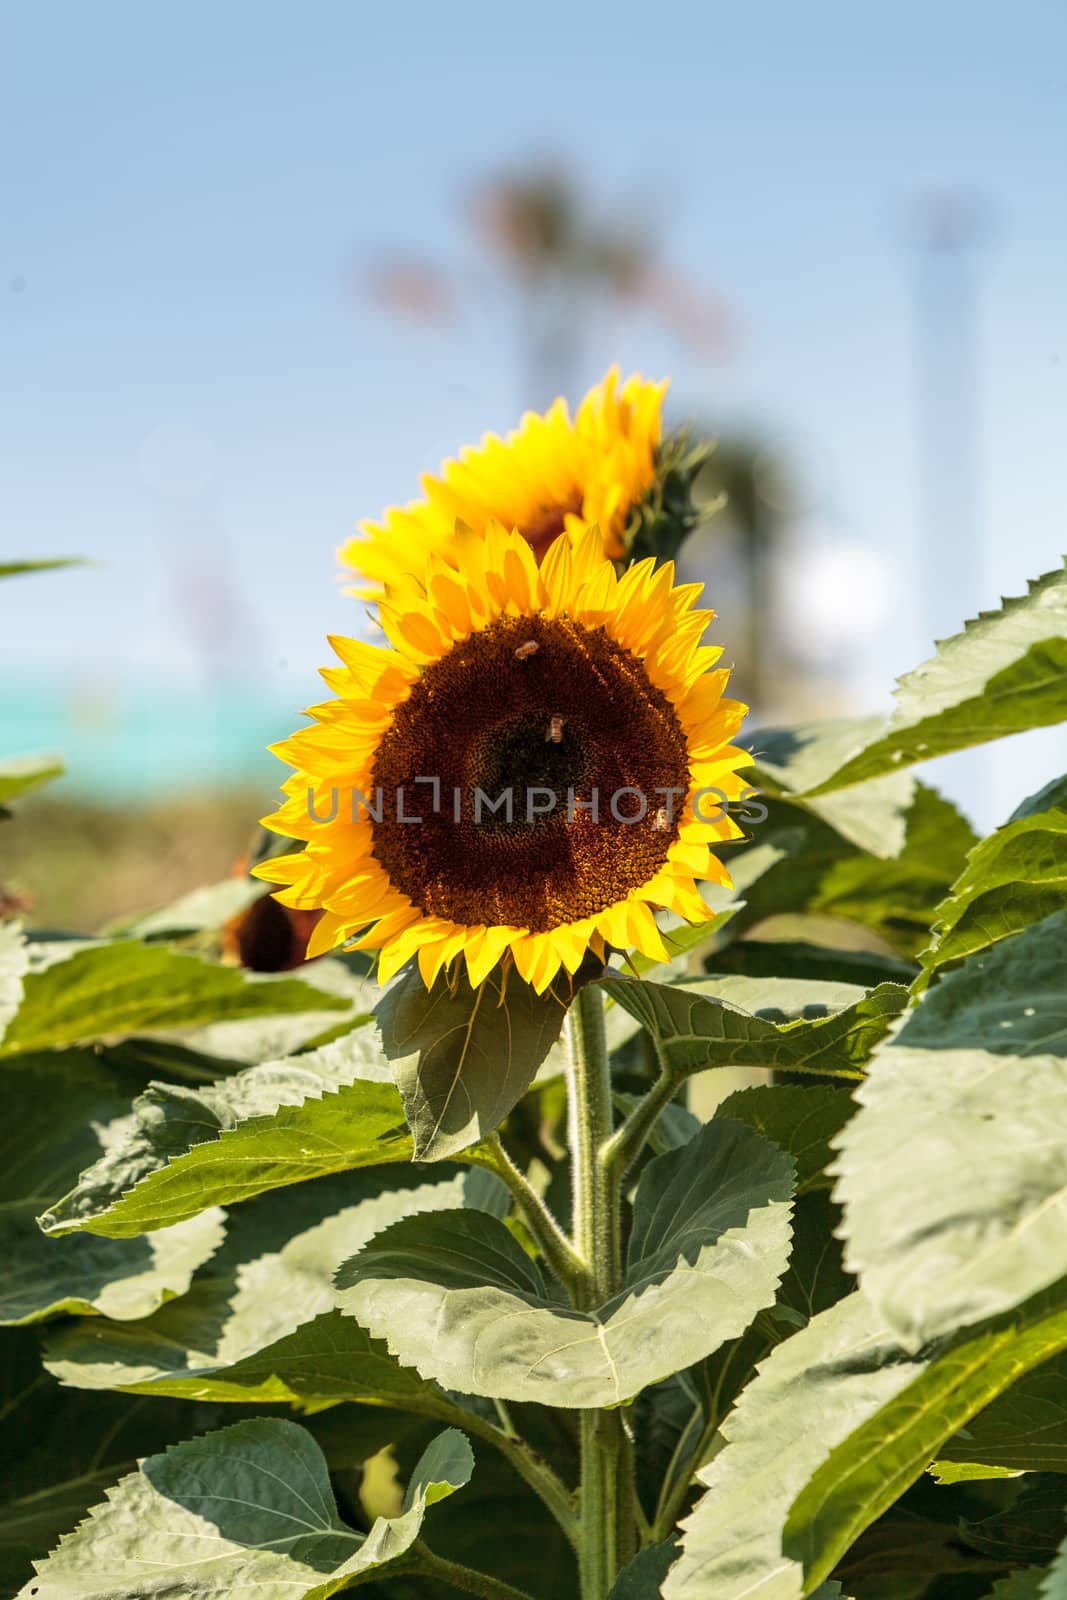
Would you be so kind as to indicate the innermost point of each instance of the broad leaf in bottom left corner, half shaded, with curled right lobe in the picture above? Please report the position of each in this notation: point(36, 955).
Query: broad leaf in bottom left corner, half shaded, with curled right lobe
point(246, 1508)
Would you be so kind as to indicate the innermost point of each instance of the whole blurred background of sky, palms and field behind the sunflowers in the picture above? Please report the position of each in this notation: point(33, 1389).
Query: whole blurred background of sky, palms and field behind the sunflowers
point(262, 266)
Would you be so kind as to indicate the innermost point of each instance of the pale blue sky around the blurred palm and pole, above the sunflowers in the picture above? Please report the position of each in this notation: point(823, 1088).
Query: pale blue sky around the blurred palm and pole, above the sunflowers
point(193, 386)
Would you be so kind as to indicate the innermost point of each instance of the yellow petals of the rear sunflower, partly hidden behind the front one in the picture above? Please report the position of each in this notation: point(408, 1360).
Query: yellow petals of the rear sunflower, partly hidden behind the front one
point(553, 476)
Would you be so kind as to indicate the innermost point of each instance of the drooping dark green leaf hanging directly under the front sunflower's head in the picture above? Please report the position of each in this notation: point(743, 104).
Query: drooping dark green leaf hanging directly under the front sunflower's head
point(465, 1057)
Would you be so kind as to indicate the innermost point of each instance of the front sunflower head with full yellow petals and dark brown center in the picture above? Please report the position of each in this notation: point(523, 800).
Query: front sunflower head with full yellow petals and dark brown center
point(585, 697)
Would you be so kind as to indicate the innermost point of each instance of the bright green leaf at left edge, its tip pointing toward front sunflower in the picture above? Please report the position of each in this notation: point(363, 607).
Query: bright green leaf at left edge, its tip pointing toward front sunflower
point(129, 986)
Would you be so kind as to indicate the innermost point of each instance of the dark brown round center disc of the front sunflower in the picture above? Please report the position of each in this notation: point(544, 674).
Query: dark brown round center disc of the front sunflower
point(557, 727)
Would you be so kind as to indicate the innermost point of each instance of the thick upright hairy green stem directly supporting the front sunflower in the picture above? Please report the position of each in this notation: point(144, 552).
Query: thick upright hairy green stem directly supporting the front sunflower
point(607, 1498)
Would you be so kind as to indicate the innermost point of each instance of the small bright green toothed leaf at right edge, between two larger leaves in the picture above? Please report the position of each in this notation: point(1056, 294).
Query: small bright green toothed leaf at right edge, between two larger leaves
point(1013, 879)
